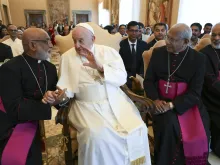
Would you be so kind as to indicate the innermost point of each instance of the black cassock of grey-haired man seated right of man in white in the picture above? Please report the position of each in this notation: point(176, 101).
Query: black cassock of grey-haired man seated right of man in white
point(167, 130)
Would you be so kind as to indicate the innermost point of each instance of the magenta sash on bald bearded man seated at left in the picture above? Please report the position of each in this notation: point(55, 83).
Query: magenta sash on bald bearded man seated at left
point(19, 143)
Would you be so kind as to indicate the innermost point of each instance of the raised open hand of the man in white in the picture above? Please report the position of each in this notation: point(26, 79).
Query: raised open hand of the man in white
point(90, 57)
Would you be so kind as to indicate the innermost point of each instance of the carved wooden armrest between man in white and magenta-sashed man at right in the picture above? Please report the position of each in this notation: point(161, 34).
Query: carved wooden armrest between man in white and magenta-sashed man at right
point(147, 105)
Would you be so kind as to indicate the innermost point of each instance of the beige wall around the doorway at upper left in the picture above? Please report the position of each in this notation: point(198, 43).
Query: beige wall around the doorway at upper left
point(18, 6)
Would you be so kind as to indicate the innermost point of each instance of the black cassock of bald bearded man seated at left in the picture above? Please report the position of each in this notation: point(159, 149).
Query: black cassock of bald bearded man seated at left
point(22, 97)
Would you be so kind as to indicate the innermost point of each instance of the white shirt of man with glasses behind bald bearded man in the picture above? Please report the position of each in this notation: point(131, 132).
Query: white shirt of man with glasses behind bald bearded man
point(16, 46)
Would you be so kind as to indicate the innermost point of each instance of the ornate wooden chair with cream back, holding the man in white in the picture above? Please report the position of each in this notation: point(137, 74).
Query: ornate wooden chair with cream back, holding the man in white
point(144, 104)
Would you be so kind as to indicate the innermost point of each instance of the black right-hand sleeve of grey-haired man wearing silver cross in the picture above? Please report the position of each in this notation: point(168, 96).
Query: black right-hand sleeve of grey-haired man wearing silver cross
point(192, 97)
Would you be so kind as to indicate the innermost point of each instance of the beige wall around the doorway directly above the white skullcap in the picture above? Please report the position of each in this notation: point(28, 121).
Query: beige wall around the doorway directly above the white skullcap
point(85, 5)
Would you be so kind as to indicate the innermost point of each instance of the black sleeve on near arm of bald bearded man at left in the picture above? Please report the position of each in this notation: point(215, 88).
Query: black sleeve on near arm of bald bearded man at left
point(19, 108)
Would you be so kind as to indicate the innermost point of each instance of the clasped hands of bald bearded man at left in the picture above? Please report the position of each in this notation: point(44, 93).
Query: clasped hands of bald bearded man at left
point(54, 97)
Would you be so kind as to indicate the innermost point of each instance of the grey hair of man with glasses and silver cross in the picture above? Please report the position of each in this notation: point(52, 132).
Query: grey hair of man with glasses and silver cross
point(185, 31)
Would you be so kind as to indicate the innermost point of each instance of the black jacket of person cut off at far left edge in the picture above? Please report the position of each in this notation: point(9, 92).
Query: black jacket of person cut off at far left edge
point(5, 52)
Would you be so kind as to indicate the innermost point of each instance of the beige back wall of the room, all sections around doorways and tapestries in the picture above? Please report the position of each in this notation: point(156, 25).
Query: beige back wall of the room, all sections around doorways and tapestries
point(17, 8)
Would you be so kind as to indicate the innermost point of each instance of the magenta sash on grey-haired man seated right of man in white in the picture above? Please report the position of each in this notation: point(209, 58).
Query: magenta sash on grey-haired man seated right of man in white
point(195, 142)
